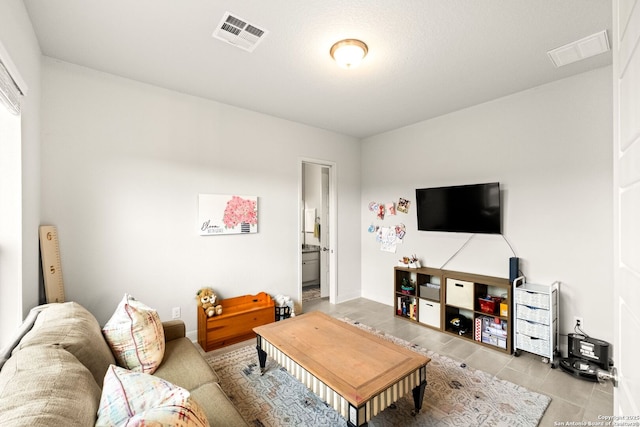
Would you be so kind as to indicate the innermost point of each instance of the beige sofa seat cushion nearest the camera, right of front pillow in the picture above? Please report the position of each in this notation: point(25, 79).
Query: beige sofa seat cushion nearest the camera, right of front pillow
point(220, 411)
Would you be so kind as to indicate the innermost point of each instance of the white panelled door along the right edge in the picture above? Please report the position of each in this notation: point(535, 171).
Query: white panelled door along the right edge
point(626, 181)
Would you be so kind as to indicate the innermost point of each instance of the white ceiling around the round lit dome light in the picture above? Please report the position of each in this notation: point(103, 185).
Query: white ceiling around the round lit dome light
point(426, 57)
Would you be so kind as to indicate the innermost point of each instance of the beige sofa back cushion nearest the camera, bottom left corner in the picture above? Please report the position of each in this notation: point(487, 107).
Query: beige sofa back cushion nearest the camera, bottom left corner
point(47, 386)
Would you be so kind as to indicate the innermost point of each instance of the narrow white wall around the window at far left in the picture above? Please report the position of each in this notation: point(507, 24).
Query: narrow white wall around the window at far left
point(18, 39)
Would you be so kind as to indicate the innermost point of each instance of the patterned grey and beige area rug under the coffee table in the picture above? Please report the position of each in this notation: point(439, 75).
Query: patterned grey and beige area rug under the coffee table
point(456, 395)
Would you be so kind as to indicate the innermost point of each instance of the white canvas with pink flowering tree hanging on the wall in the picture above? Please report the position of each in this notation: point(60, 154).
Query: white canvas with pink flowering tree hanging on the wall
point(227, 214)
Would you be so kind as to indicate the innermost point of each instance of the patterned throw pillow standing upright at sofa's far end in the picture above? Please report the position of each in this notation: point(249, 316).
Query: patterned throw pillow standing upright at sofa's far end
point(136, 336)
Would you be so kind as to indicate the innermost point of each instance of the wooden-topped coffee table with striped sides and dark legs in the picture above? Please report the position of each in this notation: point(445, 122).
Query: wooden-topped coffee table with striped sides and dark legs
point(357, 373)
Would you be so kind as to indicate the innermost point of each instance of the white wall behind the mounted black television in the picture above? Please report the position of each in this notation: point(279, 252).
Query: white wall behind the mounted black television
point(550, 148)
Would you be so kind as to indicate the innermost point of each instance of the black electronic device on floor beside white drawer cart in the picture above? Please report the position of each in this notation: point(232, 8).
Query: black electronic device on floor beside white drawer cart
point(588, 358)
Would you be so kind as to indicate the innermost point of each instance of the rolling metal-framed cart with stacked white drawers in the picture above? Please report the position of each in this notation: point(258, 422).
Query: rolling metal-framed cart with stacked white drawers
point(536, 319)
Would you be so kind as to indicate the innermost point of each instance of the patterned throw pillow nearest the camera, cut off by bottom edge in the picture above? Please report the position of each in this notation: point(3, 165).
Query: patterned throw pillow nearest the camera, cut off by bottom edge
point(138, 399)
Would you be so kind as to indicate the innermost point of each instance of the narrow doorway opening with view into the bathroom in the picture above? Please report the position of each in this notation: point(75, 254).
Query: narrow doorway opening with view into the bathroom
point(318, 231)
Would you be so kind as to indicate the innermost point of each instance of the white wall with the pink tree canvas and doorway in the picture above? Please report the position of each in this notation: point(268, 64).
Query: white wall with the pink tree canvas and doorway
point(123, 165)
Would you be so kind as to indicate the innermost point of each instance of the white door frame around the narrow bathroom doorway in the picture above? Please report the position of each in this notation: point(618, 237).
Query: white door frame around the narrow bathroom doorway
point(333, 226)
